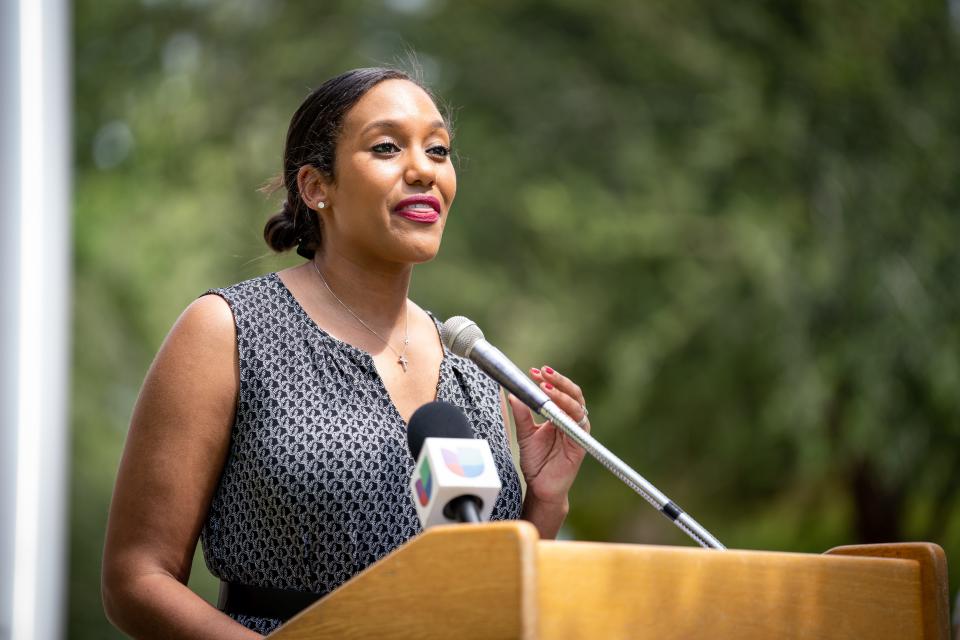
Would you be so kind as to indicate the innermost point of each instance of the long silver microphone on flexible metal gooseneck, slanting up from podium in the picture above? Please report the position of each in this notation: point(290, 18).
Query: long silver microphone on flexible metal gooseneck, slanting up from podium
point(464, 338)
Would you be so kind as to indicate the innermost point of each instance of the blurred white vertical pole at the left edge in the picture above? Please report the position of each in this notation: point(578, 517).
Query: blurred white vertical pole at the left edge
point(35, 198)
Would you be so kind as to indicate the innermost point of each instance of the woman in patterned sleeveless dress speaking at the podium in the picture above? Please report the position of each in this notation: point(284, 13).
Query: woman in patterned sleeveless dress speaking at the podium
point(272, 422)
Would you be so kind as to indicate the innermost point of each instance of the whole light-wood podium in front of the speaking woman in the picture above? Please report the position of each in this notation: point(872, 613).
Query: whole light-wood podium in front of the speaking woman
point(500, 581)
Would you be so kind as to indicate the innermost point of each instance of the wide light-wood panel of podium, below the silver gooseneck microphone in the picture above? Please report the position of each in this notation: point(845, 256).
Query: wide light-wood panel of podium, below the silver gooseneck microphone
point(625, 591)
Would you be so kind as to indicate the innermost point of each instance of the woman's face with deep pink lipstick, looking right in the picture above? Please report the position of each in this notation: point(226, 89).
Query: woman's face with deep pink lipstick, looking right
point(394, 179)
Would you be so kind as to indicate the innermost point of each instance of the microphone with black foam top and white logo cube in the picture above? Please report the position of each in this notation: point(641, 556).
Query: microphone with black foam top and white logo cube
point(454, 478)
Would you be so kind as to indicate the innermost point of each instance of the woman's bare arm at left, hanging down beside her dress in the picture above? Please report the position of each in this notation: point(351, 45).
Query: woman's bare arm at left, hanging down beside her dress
point(178, 441)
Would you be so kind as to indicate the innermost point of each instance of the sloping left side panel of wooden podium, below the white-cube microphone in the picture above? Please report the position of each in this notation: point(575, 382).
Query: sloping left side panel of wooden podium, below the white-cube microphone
point(460, 581)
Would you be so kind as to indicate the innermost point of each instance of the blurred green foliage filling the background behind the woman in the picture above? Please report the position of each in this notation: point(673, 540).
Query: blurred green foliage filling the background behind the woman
point(733, 224)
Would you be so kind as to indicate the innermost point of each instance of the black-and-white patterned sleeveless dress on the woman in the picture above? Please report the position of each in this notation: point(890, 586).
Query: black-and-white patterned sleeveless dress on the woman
point(315, 485)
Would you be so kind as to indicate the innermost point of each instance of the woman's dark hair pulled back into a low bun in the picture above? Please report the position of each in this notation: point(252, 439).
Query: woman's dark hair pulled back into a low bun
point(312, 140)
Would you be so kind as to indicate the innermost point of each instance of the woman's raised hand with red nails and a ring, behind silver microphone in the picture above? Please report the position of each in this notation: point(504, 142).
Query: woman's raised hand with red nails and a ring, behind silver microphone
point(549, 459)
